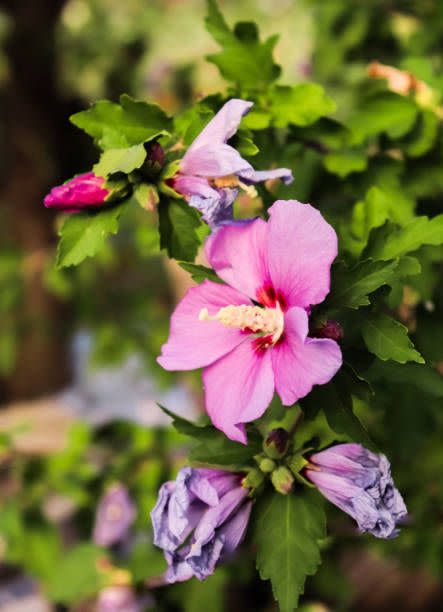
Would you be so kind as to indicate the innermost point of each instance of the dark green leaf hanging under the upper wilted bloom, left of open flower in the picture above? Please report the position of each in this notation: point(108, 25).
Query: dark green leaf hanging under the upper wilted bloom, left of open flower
point(178, 223)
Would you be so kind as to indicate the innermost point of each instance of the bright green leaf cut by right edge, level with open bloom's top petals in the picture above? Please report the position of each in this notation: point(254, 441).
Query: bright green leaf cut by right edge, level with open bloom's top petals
point(389, 242)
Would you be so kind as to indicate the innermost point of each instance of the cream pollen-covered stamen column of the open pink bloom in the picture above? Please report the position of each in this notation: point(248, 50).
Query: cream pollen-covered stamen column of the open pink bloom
point(266, 321)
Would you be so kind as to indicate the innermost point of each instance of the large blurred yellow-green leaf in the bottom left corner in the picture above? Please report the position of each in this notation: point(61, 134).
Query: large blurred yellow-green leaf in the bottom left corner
point(76, 575)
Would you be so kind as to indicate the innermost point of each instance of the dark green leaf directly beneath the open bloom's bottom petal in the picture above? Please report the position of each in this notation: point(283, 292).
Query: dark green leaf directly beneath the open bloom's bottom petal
point(213, 447)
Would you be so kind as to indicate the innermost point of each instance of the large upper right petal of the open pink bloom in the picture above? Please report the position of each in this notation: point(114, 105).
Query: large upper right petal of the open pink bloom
point(301, 249)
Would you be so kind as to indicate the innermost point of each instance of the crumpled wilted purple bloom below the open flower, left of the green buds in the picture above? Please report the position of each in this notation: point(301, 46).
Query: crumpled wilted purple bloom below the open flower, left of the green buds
point(199, 520)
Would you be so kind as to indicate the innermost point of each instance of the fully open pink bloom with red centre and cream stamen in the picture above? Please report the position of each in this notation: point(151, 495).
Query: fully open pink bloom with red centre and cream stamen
point(251, 335)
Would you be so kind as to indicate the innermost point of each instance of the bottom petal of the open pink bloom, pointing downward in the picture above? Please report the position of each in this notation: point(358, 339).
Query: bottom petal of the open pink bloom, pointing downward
point(238, 389)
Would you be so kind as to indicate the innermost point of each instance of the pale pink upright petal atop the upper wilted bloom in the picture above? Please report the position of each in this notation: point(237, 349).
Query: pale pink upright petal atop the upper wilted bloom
point(224, 125)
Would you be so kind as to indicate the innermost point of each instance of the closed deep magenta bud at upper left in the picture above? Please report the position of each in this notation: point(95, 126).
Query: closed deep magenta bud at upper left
point(83, 191)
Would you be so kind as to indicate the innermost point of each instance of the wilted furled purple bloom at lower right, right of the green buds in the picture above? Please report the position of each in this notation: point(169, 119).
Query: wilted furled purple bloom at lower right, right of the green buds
point(359, 482)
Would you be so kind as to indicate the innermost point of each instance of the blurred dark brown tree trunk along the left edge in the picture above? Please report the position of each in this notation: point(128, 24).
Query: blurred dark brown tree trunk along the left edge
point(37, 146)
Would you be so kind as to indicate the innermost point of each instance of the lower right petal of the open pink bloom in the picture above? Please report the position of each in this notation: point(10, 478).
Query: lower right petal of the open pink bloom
point(299, 362)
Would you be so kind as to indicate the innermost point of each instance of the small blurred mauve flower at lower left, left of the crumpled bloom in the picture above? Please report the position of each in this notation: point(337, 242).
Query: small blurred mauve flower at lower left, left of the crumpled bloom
point(114, 516)
